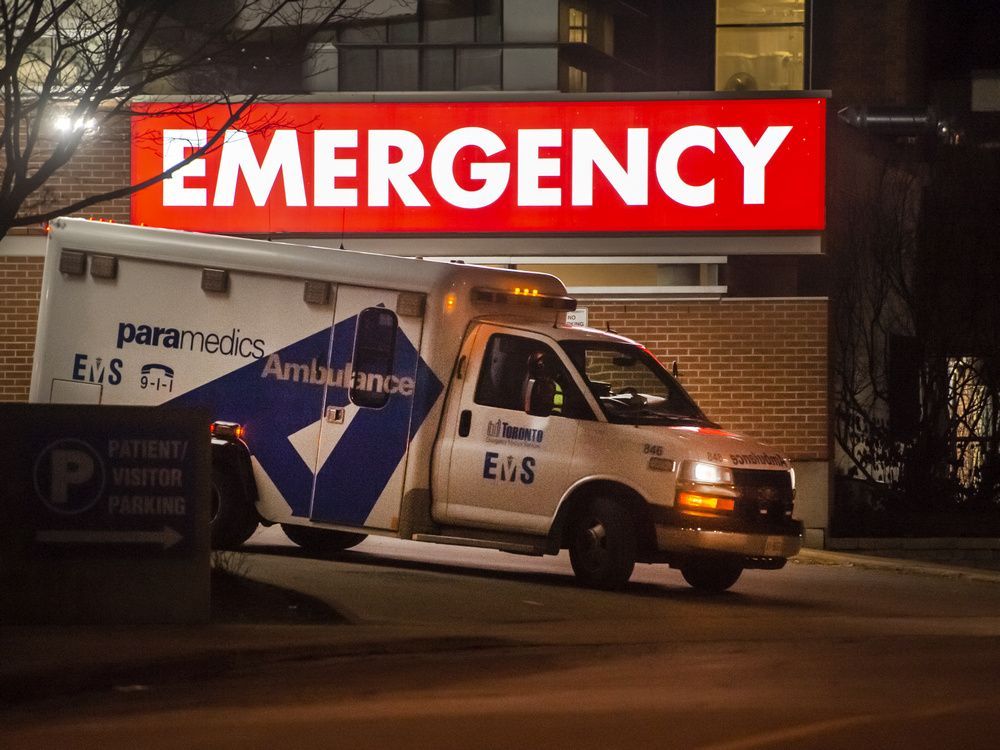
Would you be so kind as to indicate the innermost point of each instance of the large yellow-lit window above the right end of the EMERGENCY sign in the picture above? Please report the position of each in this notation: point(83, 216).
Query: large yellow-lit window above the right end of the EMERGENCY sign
point(760, 46)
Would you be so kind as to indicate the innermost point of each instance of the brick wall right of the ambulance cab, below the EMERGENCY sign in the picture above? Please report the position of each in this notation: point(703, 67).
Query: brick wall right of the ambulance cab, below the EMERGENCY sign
point(756, 366)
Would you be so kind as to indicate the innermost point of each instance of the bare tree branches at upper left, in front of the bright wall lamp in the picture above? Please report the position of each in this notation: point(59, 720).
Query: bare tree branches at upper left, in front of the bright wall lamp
point(87, 61)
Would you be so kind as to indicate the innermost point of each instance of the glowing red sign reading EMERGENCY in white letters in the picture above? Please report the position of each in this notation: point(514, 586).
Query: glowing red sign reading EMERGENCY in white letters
point(486, 167)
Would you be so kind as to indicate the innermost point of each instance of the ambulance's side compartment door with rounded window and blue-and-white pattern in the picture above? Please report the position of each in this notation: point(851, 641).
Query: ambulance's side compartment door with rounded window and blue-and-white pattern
point(365, 426)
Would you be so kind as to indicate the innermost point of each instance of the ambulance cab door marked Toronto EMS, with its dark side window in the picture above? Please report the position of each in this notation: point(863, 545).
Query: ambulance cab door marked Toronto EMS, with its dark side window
point(509, 469)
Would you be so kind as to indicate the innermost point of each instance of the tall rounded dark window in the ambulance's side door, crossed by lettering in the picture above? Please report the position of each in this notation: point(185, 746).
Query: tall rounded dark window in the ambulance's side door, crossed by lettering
point(374, 352)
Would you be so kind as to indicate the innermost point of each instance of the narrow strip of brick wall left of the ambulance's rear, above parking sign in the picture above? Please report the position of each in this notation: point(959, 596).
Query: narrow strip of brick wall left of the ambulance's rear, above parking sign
point(20, 283)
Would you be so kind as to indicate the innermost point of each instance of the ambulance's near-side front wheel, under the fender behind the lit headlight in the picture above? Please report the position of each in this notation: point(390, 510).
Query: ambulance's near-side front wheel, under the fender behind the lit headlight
point(602, 545)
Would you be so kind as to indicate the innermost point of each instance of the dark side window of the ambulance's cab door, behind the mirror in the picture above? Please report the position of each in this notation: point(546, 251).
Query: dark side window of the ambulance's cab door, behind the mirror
point(508, 364)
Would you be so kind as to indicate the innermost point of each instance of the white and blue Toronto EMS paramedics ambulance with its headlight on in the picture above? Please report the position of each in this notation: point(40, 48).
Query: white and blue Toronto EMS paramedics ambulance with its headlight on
point(360, 394)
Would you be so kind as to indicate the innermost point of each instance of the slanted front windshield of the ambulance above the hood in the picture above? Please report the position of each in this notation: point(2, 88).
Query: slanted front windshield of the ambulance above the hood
point(631, 386)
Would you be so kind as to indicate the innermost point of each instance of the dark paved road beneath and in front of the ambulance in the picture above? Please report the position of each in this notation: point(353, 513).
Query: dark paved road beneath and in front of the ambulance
point(815, 655)
